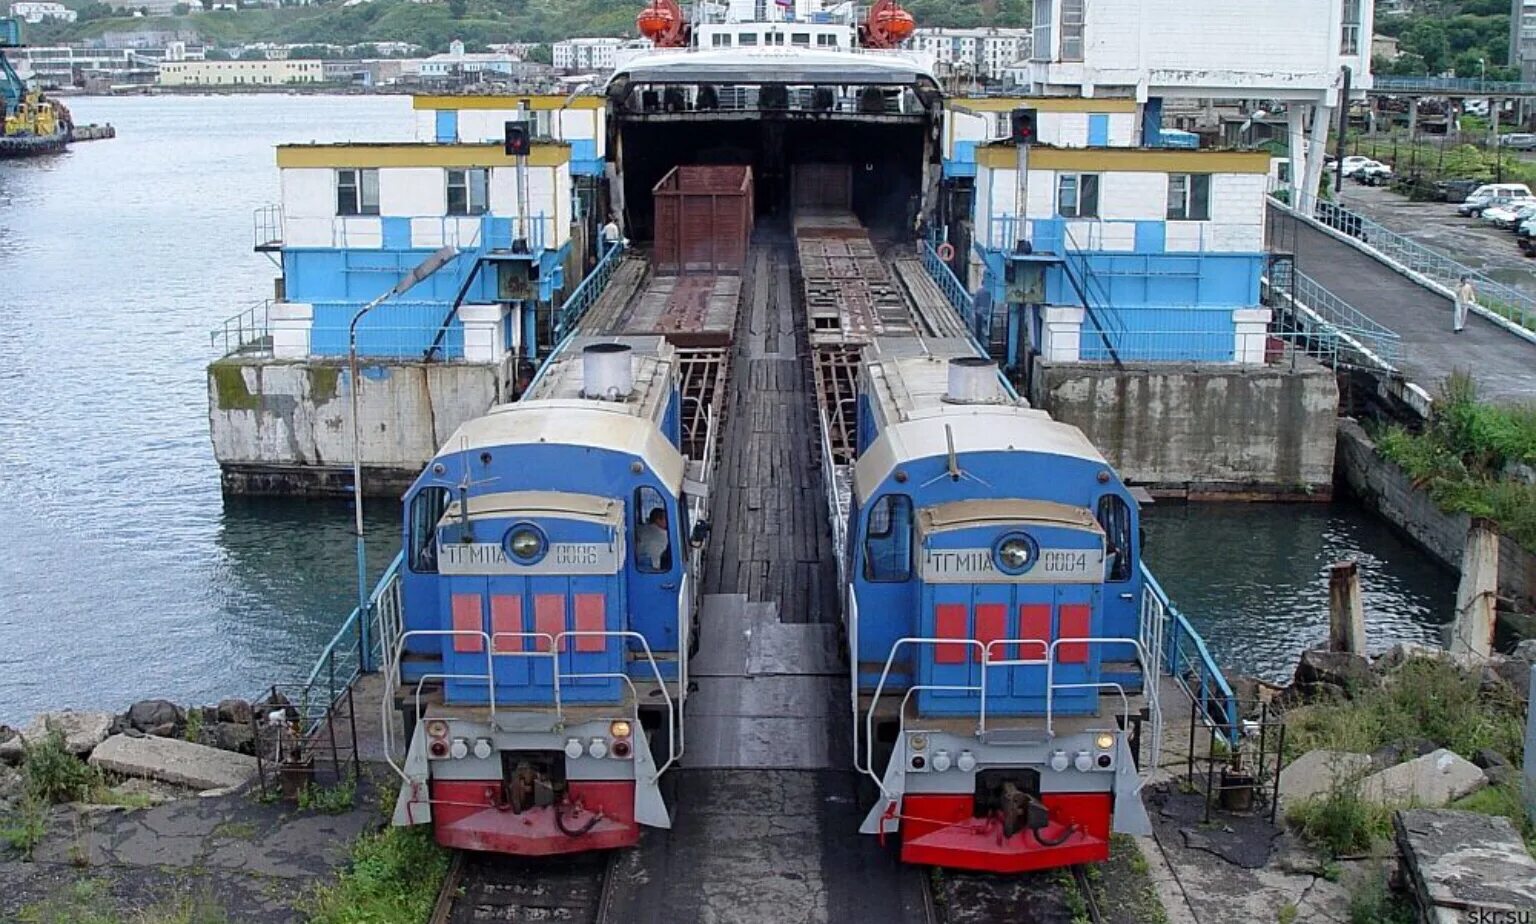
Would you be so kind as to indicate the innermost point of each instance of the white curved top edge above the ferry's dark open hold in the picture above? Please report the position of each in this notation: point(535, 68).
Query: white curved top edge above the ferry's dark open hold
point(776, 65)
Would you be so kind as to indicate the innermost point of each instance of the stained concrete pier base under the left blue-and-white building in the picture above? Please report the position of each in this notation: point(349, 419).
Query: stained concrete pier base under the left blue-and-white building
point(286, 427)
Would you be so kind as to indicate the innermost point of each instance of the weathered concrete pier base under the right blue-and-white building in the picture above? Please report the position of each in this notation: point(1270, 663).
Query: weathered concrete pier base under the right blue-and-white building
point(1203, 431)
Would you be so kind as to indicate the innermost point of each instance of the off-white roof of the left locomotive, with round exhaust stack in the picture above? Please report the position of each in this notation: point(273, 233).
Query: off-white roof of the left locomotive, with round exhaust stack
point(554, 412)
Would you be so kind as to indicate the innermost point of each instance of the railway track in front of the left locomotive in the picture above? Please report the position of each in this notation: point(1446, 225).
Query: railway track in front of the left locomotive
point(491, 888)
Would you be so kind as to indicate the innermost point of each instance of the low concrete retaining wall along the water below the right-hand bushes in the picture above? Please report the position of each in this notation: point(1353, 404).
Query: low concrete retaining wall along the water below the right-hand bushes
point(1391, 493)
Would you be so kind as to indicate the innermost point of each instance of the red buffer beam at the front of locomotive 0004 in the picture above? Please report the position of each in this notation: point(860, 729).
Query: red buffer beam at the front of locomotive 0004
point(944, 831)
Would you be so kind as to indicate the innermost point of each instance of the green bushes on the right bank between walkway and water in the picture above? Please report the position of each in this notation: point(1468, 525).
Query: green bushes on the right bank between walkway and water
point(1465, 455)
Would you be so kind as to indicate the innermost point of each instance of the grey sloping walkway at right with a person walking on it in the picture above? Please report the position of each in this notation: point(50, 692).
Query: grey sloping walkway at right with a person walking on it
point(1503, 363)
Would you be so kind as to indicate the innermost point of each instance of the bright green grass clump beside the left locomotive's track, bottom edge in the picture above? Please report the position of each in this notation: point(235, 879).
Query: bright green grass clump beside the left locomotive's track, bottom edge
point(394, 879)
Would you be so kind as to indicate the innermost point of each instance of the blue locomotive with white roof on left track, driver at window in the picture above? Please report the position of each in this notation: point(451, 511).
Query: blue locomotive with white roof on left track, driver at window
point(548, 610)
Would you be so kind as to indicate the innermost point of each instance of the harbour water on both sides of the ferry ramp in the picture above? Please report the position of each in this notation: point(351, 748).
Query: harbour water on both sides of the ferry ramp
point(124, 572)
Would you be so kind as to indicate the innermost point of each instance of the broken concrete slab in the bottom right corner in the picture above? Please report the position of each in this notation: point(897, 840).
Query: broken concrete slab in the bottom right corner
point(1465, 860)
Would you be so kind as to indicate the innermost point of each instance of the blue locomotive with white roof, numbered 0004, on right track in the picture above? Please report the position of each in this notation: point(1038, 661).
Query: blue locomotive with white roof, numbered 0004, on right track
point(993, 612)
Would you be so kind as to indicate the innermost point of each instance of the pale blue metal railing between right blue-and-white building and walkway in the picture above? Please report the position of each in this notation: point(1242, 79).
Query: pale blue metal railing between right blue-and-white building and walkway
point(1329, 329)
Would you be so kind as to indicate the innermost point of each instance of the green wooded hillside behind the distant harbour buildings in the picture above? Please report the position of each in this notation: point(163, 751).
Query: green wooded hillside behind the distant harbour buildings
point(434, 25)
